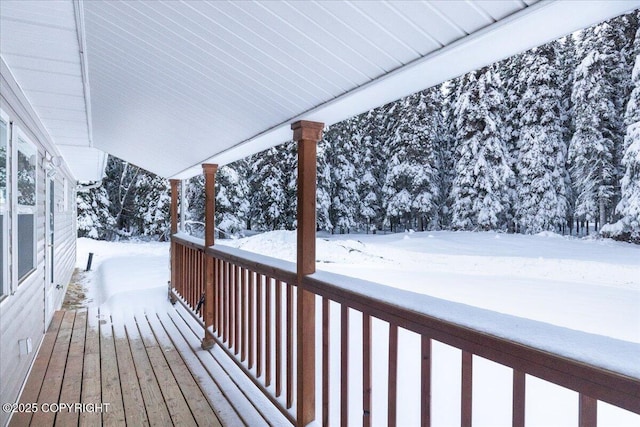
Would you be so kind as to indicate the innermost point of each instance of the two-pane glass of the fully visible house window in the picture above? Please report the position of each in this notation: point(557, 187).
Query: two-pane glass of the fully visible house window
point(26, 180)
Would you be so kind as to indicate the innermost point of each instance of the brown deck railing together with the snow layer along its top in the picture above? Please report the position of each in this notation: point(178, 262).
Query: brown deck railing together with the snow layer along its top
point(254, 321)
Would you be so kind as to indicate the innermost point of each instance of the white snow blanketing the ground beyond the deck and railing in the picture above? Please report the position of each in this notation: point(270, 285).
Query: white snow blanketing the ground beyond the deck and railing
point(583, 287)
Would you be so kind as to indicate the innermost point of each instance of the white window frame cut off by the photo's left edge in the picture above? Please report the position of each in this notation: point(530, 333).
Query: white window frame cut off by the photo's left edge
point(5, 285)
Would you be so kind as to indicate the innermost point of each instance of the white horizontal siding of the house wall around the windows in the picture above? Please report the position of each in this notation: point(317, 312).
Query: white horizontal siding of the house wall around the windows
point(22, 311)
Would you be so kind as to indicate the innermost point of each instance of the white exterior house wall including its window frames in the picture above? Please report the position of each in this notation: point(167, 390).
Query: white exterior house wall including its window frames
point(27, 306)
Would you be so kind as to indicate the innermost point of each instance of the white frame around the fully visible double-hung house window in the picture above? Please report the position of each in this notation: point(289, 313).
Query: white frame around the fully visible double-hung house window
point(18, 135)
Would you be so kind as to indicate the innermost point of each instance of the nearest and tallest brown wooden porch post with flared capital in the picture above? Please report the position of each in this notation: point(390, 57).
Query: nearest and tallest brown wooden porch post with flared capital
point(306, 134)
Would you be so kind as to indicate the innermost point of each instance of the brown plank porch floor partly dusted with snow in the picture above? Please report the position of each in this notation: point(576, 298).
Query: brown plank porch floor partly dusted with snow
point(138, 369)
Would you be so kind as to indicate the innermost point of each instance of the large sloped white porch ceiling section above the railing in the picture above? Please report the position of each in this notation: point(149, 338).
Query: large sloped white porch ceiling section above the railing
point(175, 84)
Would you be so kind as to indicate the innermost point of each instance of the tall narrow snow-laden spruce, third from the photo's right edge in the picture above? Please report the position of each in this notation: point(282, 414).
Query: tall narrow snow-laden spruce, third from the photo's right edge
point(541, 190)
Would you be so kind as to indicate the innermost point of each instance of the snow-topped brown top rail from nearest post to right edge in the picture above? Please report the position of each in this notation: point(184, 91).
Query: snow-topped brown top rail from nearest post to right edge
point(538, 355)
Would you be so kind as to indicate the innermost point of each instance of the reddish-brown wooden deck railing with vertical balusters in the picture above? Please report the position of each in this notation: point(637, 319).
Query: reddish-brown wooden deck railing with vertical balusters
point(254, 322)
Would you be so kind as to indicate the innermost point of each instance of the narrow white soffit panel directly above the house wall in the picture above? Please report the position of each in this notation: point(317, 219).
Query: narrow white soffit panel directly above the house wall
point(40, 44)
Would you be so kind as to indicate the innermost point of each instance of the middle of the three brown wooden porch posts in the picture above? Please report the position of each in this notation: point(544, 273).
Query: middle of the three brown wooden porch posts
point(209, 231)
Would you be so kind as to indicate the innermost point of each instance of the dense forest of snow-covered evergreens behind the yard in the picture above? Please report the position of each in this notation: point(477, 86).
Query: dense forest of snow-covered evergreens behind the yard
point(547, 140)
